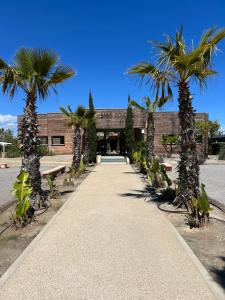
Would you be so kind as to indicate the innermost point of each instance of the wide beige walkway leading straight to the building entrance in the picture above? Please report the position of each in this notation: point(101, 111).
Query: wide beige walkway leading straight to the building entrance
point(106, 243)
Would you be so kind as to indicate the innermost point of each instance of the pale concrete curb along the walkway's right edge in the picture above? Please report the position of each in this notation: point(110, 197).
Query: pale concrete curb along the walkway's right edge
point(215, 288)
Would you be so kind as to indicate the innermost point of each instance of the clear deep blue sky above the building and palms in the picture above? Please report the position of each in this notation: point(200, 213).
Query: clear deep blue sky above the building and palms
point(101, 40)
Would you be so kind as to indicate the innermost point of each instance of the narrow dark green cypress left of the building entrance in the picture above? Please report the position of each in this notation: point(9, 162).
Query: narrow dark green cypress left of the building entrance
point(92, 145)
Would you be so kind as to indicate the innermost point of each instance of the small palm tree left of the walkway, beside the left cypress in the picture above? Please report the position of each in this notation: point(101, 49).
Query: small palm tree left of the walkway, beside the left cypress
point(77, 120)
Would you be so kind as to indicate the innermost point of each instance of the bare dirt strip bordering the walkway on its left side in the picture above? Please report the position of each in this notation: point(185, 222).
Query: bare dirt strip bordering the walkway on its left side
point(13, 242)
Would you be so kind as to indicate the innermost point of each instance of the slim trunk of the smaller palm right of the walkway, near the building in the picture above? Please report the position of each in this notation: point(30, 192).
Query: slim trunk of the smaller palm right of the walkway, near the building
point(150, 138)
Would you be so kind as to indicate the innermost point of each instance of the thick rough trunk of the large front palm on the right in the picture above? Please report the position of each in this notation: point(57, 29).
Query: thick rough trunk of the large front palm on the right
point(188, 166)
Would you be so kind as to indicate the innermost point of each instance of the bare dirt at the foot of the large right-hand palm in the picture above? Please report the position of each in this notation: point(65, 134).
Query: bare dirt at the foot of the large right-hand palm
point(207, 243)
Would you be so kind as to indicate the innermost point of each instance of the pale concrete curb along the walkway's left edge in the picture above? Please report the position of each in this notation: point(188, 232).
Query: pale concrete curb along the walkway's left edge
point(33, 243)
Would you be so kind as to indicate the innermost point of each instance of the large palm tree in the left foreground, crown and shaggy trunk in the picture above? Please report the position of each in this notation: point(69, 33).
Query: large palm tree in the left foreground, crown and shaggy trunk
point(36, 72)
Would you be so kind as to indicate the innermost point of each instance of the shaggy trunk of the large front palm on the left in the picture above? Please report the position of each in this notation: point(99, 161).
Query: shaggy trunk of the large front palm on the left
point(29, 142)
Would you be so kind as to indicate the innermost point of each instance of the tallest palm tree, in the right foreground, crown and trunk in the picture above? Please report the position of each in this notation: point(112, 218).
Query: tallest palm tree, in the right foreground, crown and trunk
point(182, 64)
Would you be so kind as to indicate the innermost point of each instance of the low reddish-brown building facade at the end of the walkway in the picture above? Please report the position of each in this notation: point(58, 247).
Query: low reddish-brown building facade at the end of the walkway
point(110, 124)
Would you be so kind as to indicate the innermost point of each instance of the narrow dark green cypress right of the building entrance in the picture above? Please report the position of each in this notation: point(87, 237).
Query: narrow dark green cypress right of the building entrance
point(129, 132)
